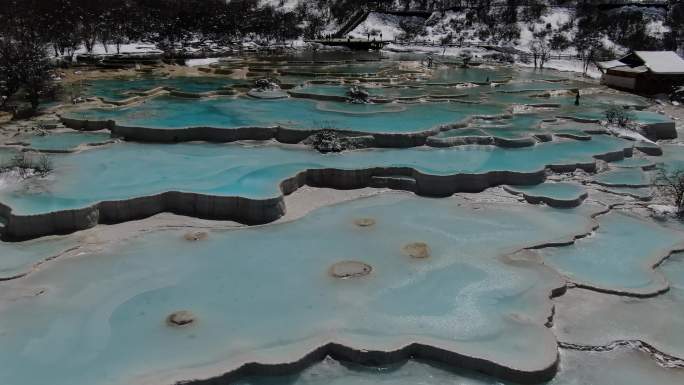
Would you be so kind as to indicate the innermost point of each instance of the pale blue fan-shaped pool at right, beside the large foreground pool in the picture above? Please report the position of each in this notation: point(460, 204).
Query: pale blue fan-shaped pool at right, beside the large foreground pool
point(607, 260)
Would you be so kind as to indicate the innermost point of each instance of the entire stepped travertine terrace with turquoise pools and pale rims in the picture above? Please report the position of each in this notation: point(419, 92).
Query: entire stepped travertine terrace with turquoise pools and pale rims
point(525, 243)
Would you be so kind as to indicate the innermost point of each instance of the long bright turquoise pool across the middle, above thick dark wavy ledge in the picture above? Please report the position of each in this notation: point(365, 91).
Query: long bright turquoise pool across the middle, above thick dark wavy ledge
point(131, 169)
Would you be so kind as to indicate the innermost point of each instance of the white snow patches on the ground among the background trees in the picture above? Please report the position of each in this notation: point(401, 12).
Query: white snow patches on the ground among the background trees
point(450, 25)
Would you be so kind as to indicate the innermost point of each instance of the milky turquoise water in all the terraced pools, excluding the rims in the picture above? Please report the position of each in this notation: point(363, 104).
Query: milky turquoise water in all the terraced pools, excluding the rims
point(97, 317)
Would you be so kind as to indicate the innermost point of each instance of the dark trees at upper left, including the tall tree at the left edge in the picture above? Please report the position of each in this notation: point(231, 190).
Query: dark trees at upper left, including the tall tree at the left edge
point(31, 31)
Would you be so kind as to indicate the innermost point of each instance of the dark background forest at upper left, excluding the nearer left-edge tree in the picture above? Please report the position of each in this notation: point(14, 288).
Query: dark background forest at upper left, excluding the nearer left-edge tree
point(65, 25)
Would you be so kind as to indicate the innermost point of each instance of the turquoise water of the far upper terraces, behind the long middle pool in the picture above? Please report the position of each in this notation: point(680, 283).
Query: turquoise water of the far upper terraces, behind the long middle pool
point(228, 112)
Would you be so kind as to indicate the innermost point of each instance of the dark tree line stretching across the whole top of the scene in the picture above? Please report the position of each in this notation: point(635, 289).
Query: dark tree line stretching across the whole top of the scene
point(32, 30)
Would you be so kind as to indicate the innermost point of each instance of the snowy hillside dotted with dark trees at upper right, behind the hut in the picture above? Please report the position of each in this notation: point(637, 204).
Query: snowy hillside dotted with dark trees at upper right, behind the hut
point(497, 25)
